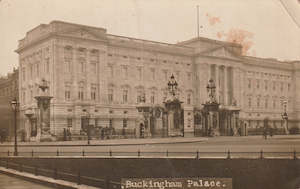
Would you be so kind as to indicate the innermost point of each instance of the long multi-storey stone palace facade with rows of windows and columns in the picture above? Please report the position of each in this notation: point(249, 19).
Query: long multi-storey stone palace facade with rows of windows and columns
point(103, 77)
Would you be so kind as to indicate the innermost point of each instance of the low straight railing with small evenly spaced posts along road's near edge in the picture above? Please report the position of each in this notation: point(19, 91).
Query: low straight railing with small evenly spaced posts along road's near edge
point(157, 154)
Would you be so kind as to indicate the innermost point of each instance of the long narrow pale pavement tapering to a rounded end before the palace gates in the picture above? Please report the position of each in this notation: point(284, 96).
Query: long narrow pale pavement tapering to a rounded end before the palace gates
point(114, 142)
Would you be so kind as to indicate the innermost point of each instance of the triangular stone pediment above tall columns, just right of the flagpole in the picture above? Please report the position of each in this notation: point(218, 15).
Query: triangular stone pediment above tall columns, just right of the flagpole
point(221, 52)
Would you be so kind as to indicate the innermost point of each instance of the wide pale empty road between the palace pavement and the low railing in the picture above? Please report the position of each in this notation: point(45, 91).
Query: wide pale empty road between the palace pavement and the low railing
point(251, 146)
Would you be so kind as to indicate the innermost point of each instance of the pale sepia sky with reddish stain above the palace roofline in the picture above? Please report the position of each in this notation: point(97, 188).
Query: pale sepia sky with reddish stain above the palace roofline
point(265, 25)
